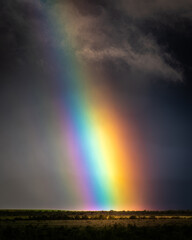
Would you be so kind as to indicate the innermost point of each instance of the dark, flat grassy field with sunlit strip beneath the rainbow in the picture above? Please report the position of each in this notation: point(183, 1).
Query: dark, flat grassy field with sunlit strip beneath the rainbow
point(52, 224)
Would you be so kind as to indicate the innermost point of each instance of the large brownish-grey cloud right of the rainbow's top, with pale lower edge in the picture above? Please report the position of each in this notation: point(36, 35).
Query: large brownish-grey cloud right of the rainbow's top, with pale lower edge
point(105, 31)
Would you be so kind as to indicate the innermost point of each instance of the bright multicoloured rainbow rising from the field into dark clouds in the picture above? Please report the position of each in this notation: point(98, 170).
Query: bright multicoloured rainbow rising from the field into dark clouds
point(96, 144)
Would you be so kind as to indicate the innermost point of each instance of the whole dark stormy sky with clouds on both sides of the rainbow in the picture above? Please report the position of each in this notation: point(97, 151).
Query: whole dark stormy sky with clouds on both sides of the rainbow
point(140, 49)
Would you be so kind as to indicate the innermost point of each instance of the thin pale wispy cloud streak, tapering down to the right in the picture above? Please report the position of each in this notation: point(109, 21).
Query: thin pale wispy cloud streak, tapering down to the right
point(139, 62)
